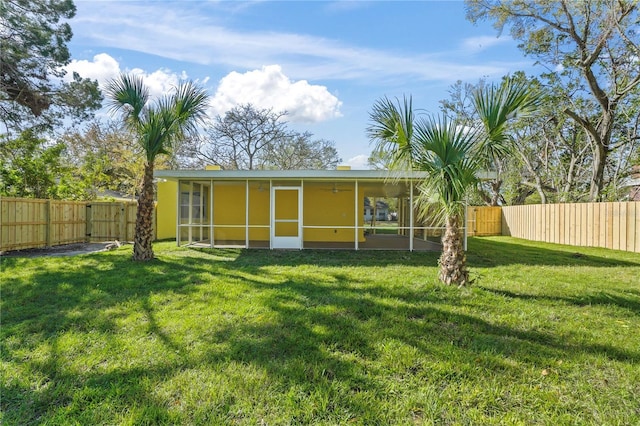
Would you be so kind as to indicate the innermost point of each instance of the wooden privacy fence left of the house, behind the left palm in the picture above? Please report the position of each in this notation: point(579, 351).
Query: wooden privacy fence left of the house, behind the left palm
point(34, 223)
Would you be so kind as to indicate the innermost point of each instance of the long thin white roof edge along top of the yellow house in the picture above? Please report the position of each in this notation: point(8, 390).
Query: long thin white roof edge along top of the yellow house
point(298, 174)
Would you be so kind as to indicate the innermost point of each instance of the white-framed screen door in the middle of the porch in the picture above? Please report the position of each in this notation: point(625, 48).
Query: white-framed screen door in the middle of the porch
point(286, 218)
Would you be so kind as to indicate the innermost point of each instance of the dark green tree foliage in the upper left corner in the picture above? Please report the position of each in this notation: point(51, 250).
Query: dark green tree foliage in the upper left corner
point(33, 52)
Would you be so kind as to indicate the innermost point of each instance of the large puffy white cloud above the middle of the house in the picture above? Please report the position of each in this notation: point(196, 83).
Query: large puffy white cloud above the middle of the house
point(269, 87)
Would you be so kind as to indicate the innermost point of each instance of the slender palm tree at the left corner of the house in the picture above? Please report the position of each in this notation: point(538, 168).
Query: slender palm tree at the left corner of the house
point(157, 127)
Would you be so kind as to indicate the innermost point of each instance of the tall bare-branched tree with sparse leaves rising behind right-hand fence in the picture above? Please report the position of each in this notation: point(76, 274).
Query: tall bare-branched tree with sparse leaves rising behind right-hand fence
point(593, 45)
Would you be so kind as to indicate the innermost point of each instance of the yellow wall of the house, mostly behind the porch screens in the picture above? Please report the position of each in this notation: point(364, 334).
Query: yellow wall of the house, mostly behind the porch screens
point(321, 207)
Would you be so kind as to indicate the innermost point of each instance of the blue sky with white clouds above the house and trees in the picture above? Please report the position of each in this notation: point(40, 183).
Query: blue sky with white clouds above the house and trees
point(325, 62)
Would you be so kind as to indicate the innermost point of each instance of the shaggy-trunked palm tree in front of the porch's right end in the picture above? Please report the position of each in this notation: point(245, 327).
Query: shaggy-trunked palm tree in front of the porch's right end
point(451, 155)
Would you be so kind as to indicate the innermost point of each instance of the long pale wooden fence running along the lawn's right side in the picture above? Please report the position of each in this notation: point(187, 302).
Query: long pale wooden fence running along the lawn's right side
point(610, 225)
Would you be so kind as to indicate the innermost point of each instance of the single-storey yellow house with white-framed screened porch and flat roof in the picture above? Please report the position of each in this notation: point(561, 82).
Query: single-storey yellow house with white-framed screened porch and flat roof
point(285, 209)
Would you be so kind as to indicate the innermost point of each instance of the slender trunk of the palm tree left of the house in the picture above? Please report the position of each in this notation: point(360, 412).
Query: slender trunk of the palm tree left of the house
point(143, 239)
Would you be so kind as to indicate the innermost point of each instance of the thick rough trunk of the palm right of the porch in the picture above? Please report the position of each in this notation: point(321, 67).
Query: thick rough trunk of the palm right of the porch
point(453, 261)
